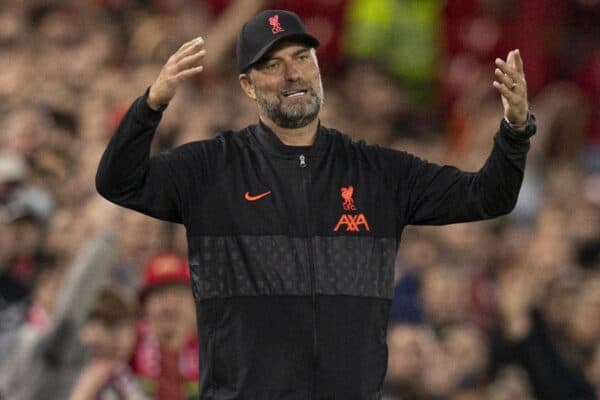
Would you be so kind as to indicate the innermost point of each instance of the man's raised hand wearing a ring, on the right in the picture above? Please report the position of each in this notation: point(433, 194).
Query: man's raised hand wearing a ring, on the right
point(510, 82)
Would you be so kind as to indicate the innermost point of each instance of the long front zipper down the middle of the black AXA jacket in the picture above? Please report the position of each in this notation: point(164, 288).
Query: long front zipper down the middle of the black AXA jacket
point(310, 253)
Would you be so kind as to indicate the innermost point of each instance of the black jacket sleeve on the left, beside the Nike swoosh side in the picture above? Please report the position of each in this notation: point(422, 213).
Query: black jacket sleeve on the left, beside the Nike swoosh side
point(129, 177)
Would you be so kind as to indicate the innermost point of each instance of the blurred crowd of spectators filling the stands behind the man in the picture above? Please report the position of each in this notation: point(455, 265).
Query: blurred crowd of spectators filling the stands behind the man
point(95, 300)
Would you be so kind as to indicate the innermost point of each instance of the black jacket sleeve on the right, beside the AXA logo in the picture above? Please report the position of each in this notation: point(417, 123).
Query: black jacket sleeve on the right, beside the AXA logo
point(431, 194)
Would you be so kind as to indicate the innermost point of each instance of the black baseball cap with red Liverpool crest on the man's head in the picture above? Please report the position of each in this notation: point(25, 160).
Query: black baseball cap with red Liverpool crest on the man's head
point(267, 29)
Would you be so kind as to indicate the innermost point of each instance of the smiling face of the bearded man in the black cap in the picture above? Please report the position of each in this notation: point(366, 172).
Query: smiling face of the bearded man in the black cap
point(287, 85)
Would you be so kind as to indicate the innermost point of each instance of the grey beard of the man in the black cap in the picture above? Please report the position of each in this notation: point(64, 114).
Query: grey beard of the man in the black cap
point(292, 116)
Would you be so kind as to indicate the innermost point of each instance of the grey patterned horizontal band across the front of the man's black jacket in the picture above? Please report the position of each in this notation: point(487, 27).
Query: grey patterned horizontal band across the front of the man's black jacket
point(227, 266)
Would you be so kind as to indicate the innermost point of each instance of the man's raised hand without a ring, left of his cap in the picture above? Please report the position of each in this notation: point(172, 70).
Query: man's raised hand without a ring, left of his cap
point(180, 66)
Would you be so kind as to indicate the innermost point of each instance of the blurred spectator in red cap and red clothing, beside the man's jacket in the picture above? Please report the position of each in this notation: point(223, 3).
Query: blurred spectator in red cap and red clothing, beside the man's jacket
point(166, 352)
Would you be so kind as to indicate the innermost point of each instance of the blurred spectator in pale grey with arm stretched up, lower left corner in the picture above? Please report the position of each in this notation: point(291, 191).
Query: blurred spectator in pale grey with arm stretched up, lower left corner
point(45, 352)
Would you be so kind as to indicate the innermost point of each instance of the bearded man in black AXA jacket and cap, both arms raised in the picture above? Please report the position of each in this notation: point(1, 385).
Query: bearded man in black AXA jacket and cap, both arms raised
point(293, 228)
